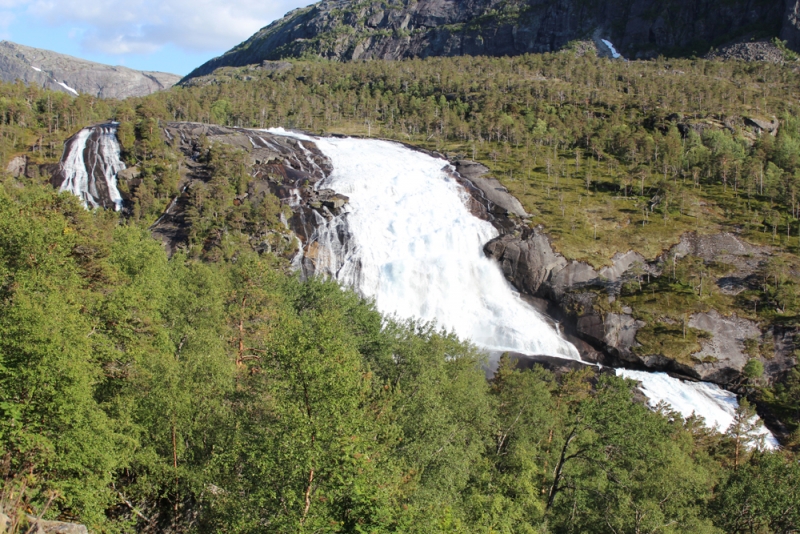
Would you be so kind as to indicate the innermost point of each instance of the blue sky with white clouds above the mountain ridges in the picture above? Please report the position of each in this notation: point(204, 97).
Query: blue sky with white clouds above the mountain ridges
point(163, 35)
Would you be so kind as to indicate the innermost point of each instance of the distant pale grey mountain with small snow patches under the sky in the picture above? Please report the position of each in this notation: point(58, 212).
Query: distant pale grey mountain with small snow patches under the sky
point(72, 75)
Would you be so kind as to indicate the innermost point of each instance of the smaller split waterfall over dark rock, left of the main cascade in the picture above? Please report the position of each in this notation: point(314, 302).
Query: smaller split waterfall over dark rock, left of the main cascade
point(90, 166)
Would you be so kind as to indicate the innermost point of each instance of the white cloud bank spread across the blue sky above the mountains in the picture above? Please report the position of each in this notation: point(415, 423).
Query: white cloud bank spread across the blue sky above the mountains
point(144, 26)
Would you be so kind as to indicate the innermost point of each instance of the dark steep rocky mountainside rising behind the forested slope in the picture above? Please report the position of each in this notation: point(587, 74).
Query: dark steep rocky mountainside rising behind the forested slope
point(395, 29)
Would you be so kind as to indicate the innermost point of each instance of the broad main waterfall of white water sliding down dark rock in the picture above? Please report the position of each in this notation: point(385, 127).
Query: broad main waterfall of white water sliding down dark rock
point(408, 240)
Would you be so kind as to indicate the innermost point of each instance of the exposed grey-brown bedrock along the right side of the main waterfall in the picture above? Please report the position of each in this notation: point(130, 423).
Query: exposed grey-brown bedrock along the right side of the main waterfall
point(573, 290)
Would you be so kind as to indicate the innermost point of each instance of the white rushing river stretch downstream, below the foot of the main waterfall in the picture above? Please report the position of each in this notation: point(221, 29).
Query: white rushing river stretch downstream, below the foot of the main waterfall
point(712, 403)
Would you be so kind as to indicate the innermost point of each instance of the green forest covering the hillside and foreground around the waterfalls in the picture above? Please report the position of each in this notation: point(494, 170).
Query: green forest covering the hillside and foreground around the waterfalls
point(213, 391)
